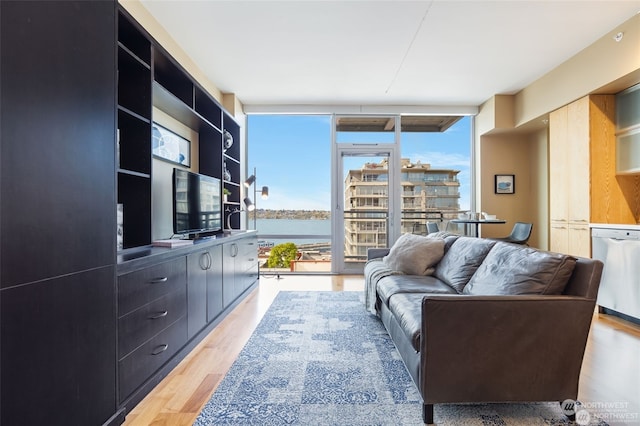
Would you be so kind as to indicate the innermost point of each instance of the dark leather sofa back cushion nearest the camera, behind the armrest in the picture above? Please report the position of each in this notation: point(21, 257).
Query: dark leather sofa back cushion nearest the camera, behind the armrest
point(513, 269)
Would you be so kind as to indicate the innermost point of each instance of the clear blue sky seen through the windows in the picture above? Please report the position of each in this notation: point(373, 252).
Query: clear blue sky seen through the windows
point(292, 156)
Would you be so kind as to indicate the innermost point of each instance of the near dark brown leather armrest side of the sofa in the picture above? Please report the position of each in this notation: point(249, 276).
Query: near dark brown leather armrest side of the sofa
point(502, 348)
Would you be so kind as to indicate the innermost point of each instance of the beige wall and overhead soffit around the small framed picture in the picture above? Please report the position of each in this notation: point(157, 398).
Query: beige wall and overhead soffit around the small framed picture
point(512, 137)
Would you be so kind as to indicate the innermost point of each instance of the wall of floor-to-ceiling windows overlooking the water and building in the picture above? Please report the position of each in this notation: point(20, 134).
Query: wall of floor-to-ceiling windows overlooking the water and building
point(292, 155)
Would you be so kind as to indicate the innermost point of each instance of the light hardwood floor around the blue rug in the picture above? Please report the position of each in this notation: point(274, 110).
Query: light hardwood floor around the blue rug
point(610, 378)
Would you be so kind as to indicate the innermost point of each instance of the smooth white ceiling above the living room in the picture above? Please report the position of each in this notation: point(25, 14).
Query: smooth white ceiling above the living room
point(358, 52)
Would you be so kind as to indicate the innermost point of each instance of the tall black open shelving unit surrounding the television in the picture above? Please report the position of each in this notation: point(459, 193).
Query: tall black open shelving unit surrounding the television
point(149, 77)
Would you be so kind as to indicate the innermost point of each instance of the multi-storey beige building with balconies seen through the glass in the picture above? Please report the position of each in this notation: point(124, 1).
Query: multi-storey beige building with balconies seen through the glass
point(427, 195)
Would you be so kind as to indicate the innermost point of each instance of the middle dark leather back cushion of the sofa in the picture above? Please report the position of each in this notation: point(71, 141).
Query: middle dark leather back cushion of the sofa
point(462, 260)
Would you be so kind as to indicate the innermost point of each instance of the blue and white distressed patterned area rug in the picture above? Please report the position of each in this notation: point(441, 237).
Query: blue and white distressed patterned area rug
point(318, 358)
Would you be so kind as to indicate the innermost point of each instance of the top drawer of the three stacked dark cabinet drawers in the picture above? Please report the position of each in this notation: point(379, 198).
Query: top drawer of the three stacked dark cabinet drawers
point(141, 287)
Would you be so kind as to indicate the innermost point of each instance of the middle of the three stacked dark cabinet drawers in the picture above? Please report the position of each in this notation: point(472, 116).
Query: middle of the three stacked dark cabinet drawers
point(140, 325)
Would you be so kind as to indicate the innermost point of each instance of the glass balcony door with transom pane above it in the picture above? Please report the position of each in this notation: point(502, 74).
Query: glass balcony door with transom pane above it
point(365, 198)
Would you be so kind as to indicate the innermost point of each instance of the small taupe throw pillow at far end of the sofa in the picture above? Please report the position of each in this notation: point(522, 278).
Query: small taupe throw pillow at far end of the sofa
point(415, 254)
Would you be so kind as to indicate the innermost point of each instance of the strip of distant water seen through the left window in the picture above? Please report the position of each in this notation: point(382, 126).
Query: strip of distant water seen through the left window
point(293, 227)
